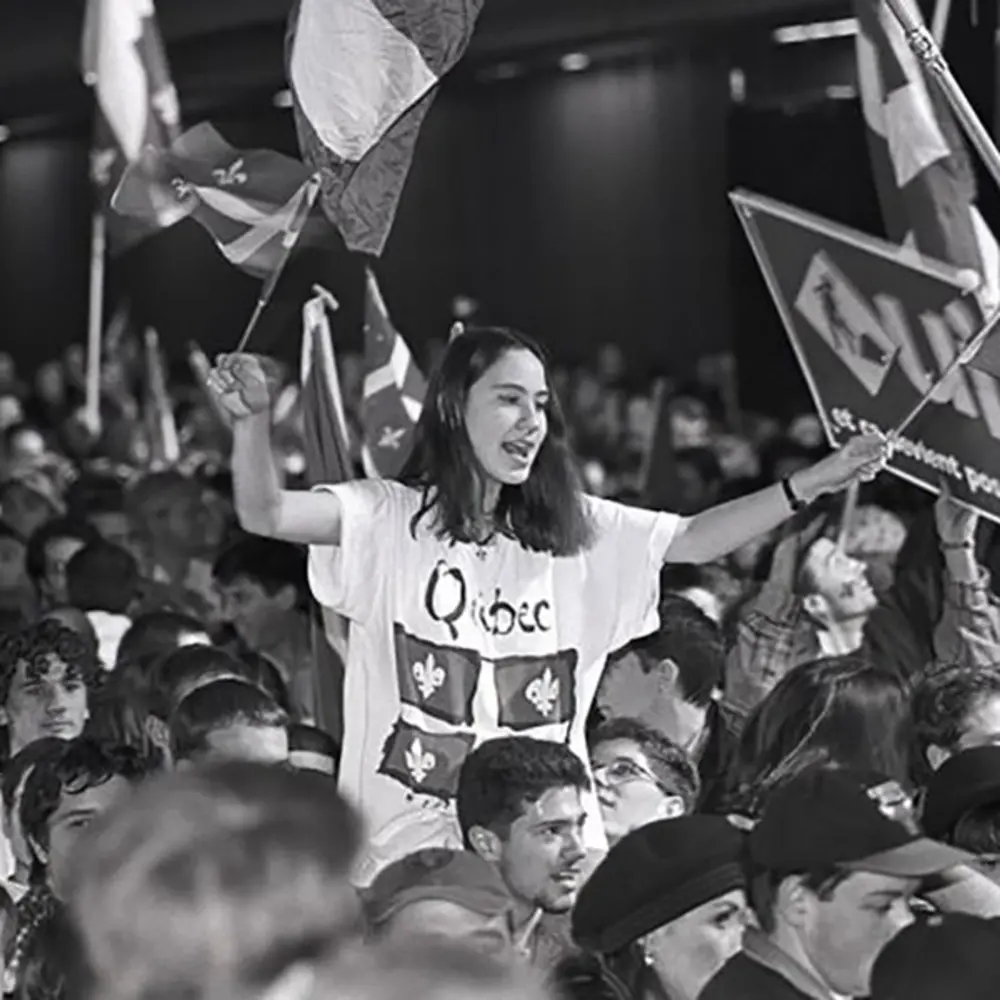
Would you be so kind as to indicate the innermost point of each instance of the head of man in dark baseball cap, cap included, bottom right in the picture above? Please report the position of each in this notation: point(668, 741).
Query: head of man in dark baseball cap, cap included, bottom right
point(836, 858)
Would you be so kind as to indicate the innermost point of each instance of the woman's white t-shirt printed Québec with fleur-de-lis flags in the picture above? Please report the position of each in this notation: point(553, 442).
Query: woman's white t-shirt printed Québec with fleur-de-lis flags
point(452, 644)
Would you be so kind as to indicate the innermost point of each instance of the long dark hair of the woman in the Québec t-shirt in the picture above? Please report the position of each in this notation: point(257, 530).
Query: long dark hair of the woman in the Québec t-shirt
point(547, 513)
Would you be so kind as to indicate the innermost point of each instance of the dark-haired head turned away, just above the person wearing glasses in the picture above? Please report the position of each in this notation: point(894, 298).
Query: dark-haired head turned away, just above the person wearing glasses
point(661, 677)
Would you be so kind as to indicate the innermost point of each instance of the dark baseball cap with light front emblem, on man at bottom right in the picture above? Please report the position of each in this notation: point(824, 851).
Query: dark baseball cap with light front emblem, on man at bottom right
point(849, 819)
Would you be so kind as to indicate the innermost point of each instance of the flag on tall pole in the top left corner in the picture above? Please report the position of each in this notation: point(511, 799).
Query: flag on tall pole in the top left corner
point(123, 60)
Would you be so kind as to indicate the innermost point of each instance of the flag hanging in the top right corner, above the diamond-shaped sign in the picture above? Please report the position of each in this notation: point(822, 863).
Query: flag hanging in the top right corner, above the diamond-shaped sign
point(925, 181)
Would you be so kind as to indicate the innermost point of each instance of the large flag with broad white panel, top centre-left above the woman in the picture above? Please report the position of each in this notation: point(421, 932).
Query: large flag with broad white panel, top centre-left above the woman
point(363, 75)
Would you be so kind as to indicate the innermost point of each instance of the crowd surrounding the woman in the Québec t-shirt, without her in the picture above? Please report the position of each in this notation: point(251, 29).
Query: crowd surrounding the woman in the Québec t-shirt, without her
point(819, 689)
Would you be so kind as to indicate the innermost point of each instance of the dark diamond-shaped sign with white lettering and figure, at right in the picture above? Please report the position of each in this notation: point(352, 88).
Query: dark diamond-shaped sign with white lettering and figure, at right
point(873, 325)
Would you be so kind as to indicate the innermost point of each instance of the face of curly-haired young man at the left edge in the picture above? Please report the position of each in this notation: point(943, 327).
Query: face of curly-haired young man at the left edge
point(47, 698)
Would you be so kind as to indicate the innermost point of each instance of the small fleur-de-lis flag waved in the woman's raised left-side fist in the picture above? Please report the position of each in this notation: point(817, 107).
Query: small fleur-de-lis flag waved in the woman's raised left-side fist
point(254, 203)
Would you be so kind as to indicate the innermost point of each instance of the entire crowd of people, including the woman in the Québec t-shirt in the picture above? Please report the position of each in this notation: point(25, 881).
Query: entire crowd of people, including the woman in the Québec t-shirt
point(580, 748)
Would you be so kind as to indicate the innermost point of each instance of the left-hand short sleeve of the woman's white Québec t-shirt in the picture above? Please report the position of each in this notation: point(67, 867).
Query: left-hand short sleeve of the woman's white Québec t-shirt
point(349, 578)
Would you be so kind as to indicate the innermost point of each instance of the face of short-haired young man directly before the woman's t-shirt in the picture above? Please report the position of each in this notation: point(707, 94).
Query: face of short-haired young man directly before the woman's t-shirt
point(542, 858)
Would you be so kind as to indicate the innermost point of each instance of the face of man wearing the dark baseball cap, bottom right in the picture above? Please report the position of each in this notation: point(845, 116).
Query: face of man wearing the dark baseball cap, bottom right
point(843, 935)
